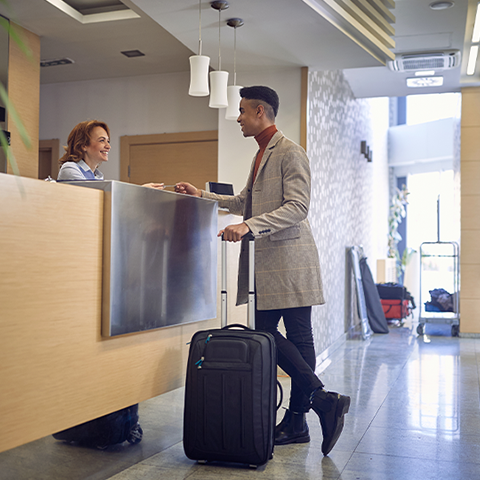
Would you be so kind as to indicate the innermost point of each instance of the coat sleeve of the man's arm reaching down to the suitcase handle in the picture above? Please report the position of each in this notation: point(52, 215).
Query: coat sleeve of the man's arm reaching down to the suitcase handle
point(294, 187)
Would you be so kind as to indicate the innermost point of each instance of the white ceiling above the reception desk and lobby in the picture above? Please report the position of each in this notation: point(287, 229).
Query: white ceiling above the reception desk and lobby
point(276, 34)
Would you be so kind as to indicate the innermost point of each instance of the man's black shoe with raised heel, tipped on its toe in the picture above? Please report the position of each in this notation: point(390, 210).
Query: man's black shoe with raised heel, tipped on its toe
point(331, 408)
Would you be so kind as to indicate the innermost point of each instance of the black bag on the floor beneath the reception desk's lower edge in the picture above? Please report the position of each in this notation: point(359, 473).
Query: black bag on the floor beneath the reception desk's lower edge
point(111, 429)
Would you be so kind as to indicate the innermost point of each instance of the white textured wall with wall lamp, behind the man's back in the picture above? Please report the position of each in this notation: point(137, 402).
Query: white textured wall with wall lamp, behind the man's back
point(349, 196)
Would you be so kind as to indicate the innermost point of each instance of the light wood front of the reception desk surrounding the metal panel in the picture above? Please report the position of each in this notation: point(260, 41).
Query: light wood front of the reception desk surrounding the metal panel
point(56, 368)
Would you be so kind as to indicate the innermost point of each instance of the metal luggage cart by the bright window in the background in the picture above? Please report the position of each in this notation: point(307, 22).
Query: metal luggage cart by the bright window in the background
point(439, 268)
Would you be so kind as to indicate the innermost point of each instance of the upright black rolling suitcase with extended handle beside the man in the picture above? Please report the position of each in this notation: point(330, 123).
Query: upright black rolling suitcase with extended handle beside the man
point(230, 390)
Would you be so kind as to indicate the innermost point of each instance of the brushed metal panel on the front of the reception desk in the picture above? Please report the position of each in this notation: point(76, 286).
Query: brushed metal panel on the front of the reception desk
point(160, 258)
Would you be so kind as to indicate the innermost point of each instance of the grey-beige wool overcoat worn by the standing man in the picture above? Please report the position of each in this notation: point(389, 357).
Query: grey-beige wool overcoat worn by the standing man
point(275, 208)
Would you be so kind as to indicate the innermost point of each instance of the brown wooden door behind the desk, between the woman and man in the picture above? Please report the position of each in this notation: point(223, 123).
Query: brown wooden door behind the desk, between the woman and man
point(170, 158)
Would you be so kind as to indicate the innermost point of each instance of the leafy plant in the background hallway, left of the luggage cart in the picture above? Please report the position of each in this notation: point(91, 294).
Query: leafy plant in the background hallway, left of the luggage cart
point(396, 214)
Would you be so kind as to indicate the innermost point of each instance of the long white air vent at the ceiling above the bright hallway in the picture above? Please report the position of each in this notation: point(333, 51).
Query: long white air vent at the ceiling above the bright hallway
point(425, 61)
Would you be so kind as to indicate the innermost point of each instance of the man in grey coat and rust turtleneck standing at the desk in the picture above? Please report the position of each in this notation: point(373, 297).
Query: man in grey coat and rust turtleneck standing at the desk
point(274, 205)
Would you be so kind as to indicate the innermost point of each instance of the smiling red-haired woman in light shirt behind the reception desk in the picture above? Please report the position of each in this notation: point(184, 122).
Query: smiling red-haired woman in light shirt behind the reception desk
point(88, 146)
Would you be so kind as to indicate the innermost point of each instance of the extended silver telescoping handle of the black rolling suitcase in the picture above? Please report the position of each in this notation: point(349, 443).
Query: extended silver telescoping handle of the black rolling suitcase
point(251, 282)
